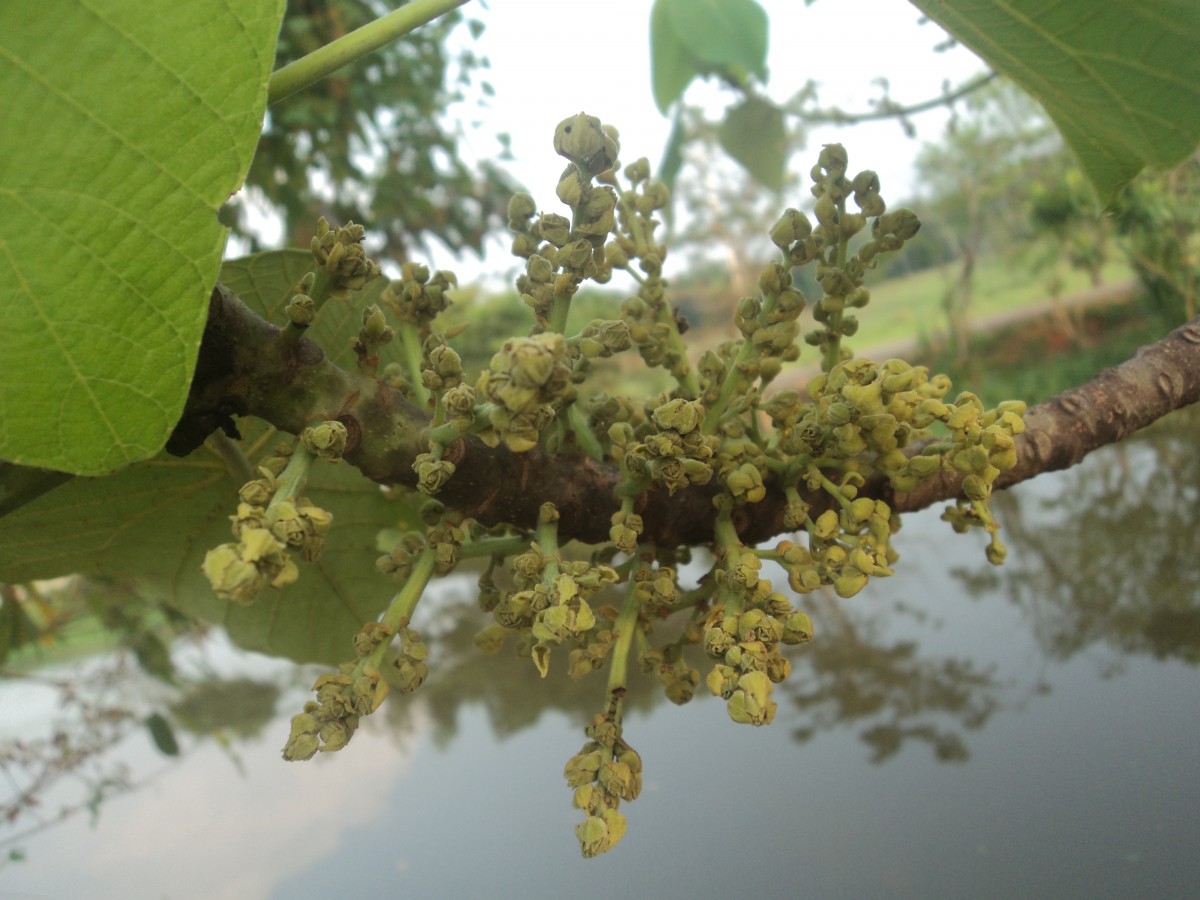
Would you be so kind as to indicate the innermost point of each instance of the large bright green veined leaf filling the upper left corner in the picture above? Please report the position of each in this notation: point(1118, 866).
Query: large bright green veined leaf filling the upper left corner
point(127, 127)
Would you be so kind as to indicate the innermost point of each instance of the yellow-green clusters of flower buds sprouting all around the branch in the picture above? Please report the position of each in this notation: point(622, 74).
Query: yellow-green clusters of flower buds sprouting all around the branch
point(722, 424)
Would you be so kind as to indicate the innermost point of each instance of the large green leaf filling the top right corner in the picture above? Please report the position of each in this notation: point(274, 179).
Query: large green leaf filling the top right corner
point(1120, 80)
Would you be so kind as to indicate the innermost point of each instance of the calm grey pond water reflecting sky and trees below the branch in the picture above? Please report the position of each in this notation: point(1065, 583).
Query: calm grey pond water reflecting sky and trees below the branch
point(955, 731)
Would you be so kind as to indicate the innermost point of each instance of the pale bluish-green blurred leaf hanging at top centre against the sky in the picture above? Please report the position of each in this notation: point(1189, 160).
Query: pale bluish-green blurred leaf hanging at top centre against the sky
point(692, 38)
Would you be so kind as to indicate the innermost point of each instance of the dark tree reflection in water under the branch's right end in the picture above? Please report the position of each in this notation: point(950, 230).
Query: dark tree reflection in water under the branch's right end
point(1113, 556)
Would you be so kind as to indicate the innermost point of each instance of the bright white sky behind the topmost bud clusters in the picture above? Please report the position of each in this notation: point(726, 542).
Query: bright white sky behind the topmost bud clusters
point(554, 59)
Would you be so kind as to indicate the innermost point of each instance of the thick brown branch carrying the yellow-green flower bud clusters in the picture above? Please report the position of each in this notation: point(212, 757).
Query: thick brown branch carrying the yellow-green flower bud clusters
point(247, 368)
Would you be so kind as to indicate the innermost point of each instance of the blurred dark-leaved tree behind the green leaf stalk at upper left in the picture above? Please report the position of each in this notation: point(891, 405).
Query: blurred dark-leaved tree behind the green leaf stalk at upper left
point(375, 143)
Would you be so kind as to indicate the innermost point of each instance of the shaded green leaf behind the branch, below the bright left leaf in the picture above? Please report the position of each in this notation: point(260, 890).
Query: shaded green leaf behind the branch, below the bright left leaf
point(152, 524)
